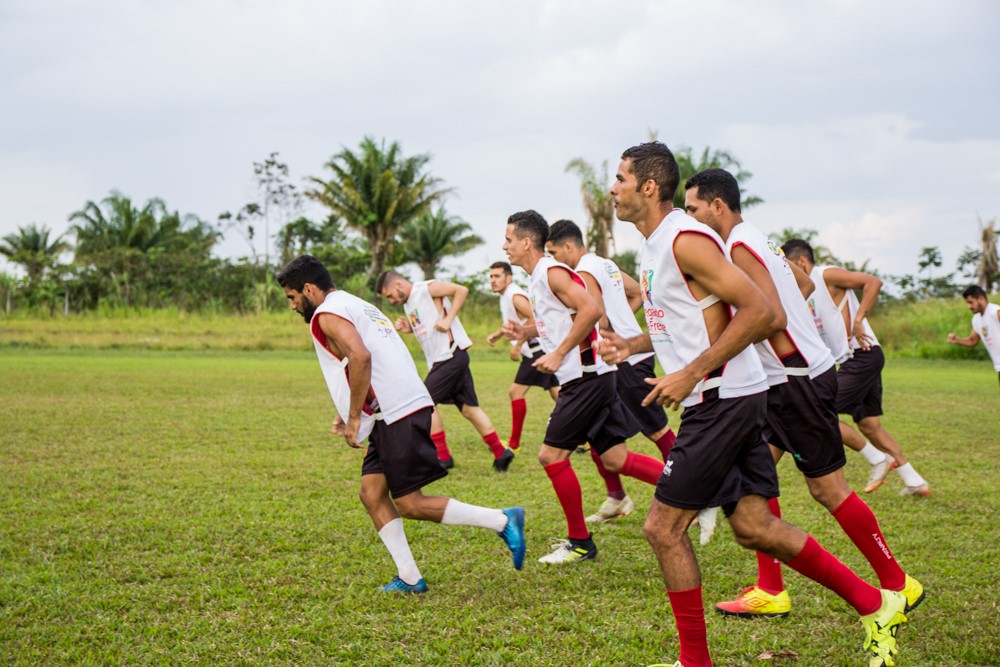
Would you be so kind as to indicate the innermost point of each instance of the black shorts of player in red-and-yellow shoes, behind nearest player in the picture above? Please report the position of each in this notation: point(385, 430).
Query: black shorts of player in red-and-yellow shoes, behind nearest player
point(802, 420)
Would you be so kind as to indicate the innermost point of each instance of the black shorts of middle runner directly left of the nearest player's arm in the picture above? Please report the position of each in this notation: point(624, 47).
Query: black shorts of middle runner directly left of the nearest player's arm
point(589, 410)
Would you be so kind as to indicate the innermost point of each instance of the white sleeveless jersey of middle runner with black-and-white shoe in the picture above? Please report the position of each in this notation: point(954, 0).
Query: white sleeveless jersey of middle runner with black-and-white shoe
point(554, 319)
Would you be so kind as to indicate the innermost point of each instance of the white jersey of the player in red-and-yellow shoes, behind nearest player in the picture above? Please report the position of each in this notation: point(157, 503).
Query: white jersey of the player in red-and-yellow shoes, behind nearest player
point(800, 327)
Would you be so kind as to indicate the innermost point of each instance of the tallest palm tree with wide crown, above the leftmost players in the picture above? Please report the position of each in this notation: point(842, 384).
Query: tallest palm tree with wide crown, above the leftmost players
point(376, 191)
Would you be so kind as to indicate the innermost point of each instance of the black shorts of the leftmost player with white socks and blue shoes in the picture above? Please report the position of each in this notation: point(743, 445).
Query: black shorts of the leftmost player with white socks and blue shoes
point(404, 452)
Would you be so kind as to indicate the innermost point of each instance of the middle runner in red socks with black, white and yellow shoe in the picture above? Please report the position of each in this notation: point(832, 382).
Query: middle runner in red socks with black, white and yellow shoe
point(588, 408)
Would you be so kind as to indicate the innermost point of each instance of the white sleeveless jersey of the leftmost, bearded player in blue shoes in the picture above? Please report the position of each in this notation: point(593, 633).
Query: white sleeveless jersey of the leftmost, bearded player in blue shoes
point(396, 388)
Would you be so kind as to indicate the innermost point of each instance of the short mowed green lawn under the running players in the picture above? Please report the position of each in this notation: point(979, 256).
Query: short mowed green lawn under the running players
point(175, 508)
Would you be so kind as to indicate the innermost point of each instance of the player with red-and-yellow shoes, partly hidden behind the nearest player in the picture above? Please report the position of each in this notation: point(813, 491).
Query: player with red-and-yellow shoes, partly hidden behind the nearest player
point(801, 399)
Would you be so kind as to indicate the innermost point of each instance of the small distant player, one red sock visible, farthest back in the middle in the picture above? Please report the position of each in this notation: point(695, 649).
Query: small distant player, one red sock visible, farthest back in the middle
point(514, 306)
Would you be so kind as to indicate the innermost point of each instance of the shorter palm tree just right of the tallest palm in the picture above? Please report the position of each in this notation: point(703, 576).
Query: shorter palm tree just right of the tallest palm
point(432, 237)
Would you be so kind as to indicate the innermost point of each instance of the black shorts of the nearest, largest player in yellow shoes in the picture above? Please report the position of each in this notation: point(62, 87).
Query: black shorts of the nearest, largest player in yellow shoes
point(720, 455)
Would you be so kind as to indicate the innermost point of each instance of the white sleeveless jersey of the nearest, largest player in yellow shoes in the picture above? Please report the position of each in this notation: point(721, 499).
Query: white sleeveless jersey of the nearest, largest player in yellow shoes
point(674, 317)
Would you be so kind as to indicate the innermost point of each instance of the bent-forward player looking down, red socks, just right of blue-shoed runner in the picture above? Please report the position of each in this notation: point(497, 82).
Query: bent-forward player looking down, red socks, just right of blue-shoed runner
point(431, 308)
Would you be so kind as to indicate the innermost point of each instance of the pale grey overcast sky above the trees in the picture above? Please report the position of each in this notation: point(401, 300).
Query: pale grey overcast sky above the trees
point(876, 123)
